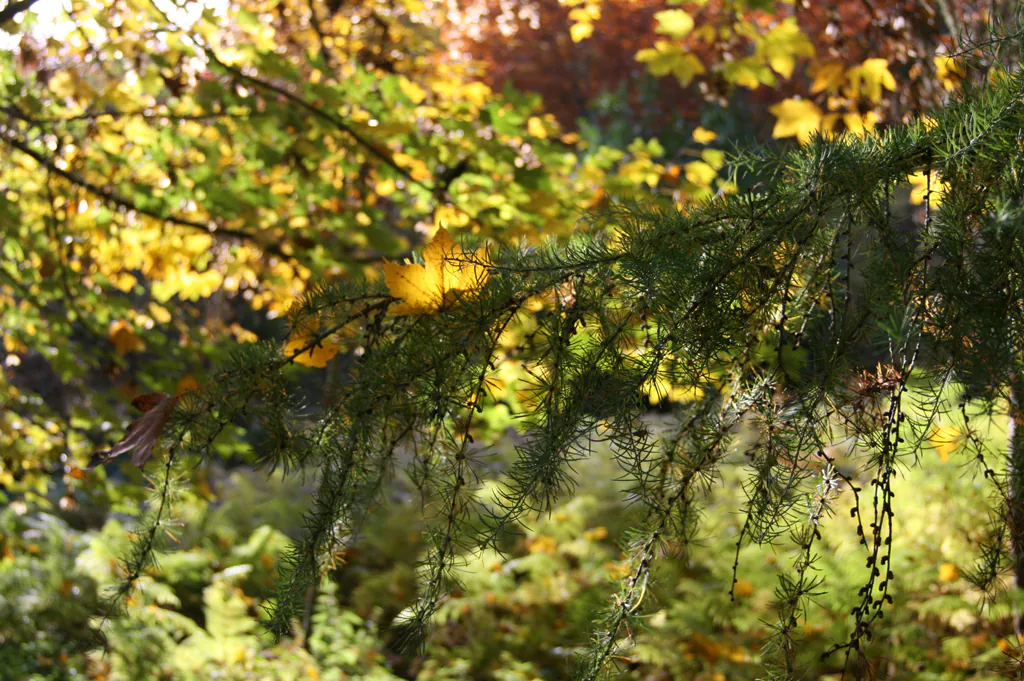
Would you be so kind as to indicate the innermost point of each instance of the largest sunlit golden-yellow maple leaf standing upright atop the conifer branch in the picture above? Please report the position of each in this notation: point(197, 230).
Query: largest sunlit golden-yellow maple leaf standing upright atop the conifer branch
point(429, 288)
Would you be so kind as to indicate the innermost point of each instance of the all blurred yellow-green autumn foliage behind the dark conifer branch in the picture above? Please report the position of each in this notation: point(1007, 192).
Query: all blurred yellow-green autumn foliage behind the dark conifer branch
point(176, 175)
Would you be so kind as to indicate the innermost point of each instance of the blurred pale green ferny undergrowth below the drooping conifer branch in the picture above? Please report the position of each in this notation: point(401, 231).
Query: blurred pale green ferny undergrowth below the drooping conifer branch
point(520, 616)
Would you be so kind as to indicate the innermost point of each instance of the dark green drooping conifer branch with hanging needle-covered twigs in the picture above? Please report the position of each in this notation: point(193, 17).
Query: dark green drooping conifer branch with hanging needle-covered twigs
point(816, 311)
